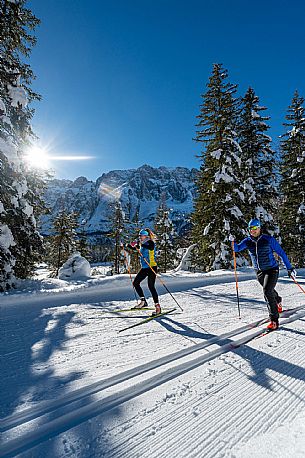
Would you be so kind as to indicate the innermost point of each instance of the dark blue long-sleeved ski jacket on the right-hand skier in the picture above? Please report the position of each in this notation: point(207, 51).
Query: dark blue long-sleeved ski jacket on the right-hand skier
point(261, 251)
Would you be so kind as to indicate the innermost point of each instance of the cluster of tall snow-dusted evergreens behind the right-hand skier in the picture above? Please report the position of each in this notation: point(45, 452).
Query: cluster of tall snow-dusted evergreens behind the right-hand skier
point(242, 177)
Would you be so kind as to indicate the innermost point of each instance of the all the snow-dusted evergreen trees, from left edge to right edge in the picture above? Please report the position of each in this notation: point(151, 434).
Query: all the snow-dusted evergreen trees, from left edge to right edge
point(241, 176)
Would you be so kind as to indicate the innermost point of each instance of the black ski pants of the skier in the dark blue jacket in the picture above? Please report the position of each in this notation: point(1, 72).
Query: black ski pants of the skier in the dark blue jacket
point(268, 279)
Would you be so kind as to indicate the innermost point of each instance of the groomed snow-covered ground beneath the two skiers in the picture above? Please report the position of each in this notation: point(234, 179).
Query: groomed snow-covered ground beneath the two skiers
point(190, 384)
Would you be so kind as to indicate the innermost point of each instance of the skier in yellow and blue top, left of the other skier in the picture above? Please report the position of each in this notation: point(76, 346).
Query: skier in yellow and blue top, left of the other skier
point(147, 250)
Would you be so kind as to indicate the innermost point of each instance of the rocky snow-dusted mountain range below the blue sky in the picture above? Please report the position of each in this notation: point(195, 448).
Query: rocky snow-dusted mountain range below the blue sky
point(139, 190)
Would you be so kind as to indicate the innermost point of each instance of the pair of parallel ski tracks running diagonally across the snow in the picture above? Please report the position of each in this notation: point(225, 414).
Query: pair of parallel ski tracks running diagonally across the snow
point(74, 408)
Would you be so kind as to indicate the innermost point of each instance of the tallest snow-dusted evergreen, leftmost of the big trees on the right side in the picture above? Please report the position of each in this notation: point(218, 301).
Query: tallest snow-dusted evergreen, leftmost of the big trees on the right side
point(217, 206)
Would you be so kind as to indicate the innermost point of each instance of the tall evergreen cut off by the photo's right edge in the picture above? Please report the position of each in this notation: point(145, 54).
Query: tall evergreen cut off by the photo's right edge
point(292, 210)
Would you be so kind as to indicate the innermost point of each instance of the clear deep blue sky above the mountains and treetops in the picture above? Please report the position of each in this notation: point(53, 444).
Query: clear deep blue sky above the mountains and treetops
point(121, 80)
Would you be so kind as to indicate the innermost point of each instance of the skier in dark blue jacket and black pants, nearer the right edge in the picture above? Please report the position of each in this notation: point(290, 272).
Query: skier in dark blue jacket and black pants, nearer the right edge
point(261, 248)
